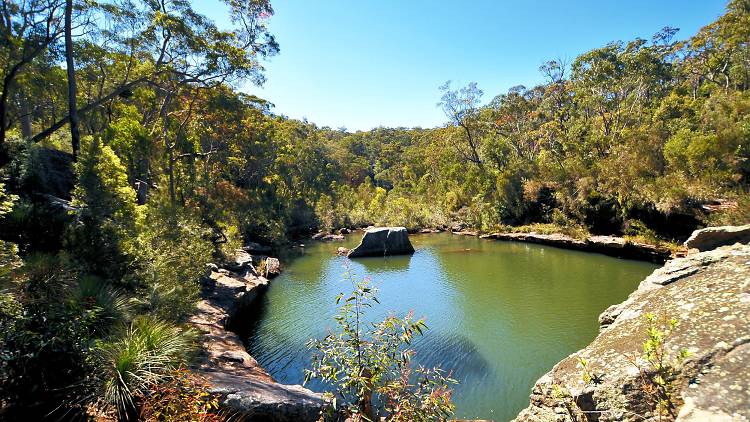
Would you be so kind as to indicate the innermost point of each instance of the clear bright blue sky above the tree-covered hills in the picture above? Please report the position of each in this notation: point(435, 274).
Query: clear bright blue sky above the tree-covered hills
point(367, 63)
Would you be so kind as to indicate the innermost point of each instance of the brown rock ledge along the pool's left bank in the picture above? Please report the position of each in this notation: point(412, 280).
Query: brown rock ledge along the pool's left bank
point(246, 390)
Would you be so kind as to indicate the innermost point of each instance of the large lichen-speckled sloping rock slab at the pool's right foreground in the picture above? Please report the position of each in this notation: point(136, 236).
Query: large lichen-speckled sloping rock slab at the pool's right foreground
point(708, 293)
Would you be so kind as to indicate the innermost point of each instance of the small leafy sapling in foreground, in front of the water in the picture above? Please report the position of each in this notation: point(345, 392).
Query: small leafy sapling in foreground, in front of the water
point(369, 365)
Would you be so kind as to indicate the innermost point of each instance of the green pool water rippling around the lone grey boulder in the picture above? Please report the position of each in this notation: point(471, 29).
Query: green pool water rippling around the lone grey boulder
point(500, 314)
